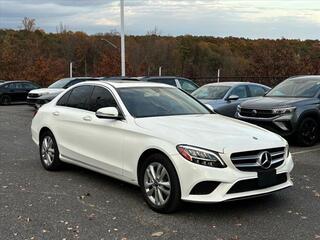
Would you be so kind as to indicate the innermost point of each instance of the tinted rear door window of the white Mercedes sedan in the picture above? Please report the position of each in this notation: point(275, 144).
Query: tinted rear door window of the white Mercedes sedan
point(79, 97)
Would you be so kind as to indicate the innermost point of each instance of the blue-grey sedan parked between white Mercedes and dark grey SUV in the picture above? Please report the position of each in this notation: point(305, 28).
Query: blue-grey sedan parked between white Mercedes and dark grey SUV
point(225, 97)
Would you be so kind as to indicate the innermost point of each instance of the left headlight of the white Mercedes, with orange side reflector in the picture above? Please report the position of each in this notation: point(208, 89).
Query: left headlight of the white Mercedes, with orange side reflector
point(201, 156)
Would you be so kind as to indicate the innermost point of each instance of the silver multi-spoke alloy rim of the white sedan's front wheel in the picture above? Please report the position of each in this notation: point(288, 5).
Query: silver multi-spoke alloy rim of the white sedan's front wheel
point(157, 184)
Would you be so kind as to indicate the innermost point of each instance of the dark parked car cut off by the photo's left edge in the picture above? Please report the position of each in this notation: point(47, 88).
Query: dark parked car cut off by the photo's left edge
point(15, 91)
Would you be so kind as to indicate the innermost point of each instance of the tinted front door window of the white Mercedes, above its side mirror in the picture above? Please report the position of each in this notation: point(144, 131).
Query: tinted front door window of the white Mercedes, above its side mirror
point(101, 98)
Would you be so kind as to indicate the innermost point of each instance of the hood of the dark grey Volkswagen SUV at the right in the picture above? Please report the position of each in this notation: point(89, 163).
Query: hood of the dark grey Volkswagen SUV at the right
point(276, 102)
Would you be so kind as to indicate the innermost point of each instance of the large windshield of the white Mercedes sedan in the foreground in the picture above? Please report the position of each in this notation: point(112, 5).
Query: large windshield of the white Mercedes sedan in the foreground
point(159, 101)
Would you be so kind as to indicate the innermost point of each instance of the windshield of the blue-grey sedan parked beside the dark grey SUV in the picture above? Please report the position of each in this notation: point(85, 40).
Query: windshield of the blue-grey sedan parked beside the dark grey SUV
point(211, 92)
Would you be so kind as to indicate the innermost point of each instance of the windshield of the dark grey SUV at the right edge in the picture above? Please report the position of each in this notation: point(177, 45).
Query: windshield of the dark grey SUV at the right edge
point(296, 88)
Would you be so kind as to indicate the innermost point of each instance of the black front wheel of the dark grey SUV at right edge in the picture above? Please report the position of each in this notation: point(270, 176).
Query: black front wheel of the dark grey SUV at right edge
point(308, 132)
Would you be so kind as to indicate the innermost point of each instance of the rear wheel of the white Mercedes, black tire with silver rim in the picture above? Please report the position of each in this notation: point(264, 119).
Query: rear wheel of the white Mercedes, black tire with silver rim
point(49, 152)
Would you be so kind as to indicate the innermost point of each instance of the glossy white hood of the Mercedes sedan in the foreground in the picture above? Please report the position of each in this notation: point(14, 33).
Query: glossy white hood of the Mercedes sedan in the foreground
point(210, 131)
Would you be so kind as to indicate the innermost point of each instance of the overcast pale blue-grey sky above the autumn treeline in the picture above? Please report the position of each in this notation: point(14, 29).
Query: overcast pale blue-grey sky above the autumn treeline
point(240, 18)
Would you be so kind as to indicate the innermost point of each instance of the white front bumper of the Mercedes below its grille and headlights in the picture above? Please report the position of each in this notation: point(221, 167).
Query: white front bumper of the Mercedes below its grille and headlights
point(191, 174)
